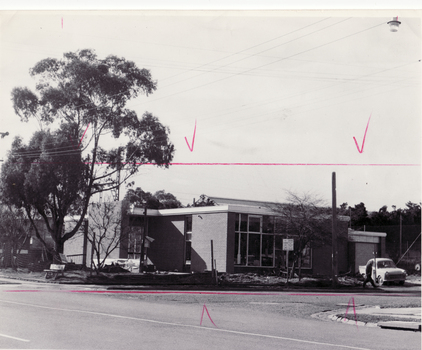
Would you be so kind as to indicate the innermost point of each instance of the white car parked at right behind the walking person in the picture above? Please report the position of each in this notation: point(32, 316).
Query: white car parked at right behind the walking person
point(385, 271)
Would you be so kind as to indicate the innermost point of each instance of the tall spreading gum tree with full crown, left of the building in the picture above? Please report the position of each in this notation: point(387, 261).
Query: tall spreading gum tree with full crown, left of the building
point(59, 171)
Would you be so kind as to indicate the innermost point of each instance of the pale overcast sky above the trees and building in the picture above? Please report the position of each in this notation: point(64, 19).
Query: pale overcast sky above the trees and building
point(258, 102)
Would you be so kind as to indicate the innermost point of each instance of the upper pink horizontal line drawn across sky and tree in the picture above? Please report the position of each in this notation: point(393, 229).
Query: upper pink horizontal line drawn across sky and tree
point(249, 164)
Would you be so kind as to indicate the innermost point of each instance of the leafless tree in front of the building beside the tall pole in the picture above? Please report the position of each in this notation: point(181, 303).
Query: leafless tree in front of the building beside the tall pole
point(305, 219)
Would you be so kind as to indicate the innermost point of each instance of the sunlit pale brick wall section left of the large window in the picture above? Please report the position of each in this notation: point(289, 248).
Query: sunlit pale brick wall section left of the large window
point(207, 227)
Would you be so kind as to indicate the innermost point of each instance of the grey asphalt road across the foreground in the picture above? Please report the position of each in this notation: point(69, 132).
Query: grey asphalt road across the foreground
point(42, 316)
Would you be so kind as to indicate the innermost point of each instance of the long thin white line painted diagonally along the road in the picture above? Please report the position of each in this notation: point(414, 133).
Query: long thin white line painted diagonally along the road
point(188, 326)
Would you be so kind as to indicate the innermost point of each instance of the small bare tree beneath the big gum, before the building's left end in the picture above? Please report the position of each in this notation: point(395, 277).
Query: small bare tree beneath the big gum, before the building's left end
point(108, 227)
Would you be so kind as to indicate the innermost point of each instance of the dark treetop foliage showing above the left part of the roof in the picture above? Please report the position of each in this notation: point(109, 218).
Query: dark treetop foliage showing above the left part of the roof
point(158, 200)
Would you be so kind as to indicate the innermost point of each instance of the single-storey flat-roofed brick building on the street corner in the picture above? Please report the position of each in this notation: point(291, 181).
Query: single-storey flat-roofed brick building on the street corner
point(245, 238)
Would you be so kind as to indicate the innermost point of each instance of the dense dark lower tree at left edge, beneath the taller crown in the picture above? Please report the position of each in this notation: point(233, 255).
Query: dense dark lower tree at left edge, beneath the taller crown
point(33, 180)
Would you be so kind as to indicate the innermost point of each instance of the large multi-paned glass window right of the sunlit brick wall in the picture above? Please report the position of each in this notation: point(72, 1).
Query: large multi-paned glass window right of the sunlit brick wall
point(254, 240)
